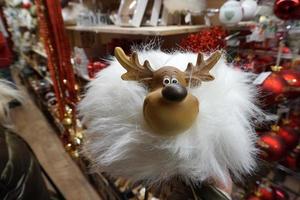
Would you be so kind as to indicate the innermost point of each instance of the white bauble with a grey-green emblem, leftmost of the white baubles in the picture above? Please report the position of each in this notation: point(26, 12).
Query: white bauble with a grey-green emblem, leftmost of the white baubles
point(231, 13)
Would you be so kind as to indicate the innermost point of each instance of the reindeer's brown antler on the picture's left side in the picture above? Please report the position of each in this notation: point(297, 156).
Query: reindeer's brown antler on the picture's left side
point(135, 71)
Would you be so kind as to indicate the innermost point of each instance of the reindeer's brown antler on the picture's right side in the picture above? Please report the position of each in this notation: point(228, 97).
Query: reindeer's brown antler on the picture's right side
point(200, 71)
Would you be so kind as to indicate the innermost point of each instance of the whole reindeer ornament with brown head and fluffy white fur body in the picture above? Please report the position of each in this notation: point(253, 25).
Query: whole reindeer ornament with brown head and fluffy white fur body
point(169, 117)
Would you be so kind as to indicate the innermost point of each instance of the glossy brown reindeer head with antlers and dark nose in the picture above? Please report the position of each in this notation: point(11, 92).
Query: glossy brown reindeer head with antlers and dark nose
point(169, 108)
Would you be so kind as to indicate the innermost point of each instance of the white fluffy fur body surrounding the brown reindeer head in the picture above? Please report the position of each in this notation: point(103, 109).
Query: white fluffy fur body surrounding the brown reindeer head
point(221, 140)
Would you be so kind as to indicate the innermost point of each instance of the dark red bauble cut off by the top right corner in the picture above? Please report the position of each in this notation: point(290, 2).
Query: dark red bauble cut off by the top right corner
point(287, 9)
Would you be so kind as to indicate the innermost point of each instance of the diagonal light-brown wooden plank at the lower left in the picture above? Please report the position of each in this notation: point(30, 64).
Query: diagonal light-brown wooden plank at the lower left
point(33, 126)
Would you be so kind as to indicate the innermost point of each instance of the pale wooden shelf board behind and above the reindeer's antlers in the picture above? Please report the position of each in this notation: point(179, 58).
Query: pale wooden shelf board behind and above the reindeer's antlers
point(154, 31)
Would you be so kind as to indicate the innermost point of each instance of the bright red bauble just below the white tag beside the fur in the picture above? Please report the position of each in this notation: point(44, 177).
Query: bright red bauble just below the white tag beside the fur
point(273, 88)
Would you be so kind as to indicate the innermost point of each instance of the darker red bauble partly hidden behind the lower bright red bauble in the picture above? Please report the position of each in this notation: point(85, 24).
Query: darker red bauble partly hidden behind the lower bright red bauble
point(290, 136)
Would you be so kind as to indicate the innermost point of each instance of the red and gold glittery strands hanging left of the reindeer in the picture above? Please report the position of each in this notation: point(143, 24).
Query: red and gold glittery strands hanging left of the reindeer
point(59, 63)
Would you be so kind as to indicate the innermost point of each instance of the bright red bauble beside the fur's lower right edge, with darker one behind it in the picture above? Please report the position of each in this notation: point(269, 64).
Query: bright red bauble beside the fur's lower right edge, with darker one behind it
point(272, 146)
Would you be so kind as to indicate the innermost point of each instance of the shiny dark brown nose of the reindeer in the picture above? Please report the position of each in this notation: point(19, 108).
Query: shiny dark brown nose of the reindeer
point(174, 92)
